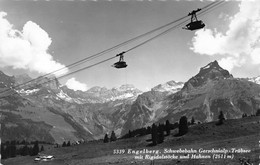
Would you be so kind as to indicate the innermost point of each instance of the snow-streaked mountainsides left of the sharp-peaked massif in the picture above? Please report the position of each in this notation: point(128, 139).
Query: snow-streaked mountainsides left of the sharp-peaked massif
point(46, 111)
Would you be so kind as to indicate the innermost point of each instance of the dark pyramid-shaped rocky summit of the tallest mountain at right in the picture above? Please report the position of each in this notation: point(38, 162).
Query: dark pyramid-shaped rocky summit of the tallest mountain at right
point(211, 71)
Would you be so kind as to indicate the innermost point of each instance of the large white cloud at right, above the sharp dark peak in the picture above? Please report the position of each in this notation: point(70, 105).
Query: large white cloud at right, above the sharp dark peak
point(240, 43)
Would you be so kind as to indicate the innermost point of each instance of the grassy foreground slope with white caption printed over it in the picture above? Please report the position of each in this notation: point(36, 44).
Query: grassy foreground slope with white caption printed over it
point(234, 133)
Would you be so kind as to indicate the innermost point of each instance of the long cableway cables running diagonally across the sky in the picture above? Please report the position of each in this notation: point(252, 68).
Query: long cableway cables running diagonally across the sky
point(207, 8)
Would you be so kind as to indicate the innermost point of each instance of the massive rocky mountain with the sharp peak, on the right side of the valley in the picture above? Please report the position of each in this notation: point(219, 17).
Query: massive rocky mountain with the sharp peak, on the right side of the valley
point(212, 90)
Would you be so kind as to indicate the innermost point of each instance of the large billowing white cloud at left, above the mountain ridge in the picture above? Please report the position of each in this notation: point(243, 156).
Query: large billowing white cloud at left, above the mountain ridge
point(26, 49)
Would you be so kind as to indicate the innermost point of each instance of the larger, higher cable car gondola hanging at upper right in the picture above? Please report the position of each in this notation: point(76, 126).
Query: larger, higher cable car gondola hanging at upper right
point(195, 24)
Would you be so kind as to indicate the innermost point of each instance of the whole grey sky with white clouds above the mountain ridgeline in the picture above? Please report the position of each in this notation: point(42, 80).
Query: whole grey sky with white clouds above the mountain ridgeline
point(40, 36)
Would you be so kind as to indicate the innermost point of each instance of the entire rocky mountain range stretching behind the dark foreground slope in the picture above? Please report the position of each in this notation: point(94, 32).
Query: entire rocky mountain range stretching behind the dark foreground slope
point(56, 113)
